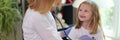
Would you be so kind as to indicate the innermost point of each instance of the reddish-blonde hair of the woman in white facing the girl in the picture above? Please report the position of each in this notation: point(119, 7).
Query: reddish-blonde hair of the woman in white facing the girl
point(43, 6)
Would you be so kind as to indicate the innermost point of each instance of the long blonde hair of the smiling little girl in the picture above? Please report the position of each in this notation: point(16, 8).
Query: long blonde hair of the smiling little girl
point(95, 19)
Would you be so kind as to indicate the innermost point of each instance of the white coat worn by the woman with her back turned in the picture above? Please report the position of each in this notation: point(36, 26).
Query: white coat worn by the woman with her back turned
point(39, 27)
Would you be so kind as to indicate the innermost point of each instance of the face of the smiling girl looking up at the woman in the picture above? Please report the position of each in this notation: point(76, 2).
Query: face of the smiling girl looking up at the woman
point(85, 12)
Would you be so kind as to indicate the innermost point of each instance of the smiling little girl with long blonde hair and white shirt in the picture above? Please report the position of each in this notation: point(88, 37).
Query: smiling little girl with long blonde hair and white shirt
point(88, 23)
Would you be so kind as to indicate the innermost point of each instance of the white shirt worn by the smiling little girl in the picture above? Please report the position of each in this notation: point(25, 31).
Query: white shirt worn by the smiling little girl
point(77, 33)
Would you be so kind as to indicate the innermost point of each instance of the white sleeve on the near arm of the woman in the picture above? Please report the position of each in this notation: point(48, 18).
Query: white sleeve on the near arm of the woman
point(45, 29)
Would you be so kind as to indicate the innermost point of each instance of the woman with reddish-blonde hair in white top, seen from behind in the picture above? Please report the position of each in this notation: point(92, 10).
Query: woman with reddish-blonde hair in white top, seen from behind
point(38, 23)
